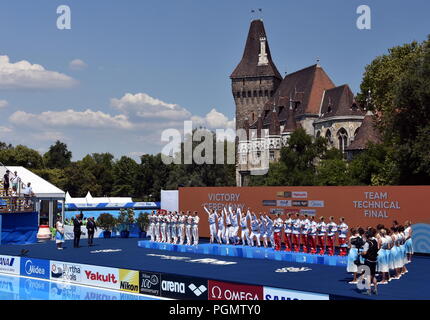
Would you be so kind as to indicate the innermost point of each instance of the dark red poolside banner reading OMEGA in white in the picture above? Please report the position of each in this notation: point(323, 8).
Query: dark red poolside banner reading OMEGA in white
point(231, 291)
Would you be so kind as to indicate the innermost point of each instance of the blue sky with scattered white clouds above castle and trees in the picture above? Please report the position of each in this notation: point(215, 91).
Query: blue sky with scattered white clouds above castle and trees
point(129, 69)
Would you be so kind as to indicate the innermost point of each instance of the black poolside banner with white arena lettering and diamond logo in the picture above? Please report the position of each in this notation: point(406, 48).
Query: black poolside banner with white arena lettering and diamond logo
point(183, 287)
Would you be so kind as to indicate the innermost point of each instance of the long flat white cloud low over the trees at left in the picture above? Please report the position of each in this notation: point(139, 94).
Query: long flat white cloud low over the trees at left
point(86, 119)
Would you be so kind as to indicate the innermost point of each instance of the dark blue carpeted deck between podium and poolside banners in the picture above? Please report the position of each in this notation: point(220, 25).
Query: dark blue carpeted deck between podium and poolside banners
point(320, 279)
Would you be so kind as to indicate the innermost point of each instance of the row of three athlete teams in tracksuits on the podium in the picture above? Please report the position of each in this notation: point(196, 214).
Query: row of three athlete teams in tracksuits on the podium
point(298, 232)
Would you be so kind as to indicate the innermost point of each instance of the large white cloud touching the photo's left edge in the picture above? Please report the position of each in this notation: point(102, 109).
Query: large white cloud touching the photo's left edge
point(23, 74)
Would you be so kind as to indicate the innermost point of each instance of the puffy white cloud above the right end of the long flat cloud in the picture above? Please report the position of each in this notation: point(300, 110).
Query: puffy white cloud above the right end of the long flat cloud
point(141, 105)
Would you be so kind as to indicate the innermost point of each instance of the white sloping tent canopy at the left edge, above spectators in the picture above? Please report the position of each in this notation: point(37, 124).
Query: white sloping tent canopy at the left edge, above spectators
point(41, 188)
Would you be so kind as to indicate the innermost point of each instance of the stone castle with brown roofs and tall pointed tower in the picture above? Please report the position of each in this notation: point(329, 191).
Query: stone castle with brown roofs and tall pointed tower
point(269, 108)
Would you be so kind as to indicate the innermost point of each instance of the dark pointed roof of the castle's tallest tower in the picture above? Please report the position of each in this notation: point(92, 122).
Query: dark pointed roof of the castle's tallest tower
point(249, 65)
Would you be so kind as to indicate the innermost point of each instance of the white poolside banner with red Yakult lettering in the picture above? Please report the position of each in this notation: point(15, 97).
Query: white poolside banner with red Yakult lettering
point(101, 277)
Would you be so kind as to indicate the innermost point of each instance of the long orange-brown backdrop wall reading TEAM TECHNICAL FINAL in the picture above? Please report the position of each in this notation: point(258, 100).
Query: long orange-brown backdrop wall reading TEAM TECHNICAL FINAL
point(360, 205)
